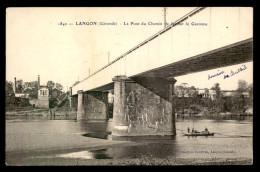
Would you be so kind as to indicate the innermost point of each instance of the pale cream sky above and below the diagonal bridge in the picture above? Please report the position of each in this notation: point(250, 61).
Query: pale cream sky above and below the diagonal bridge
point(41, 41)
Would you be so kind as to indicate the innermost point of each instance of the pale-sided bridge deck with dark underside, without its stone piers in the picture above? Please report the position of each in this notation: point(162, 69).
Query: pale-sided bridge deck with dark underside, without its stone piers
point(227, 39)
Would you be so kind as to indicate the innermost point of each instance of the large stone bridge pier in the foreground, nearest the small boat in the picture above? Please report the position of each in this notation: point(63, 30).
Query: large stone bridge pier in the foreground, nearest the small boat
point(143, 106)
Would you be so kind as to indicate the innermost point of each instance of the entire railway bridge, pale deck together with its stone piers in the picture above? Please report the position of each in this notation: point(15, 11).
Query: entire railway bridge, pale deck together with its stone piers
point(143, 77)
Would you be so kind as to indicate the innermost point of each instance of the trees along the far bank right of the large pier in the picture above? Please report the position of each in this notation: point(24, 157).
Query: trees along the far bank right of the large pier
point(188, 97)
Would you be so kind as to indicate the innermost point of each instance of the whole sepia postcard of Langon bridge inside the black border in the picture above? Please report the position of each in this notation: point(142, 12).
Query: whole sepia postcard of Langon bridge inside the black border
point(129, 86)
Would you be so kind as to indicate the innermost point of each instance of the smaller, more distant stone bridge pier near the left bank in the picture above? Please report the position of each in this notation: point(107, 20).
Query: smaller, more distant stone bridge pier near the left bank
point(92, 105)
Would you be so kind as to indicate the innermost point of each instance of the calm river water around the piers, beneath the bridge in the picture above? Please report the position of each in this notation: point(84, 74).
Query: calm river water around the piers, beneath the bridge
point(233, 139)
